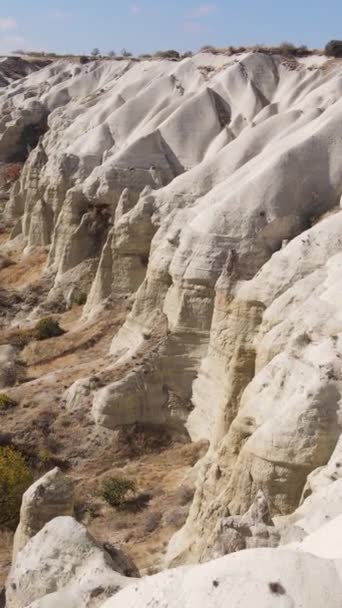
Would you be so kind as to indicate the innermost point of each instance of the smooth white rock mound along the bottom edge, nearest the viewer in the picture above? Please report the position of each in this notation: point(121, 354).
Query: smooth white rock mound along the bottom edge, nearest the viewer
point(262, 578)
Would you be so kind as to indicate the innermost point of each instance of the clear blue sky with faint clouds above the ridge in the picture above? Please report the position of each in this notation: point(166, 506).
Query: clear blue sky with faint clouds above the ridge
point(77, 26)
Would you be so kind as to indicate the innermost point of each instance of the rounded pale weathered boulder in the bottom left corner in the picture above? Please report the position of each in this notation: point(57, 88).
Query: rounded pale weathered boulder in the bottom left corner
point(64, 557)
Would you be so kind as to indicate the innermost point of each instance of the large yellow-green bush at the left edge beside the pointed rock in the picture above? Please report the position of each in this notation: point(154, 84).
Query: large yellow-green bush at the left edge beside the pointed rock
point(15, 478)
